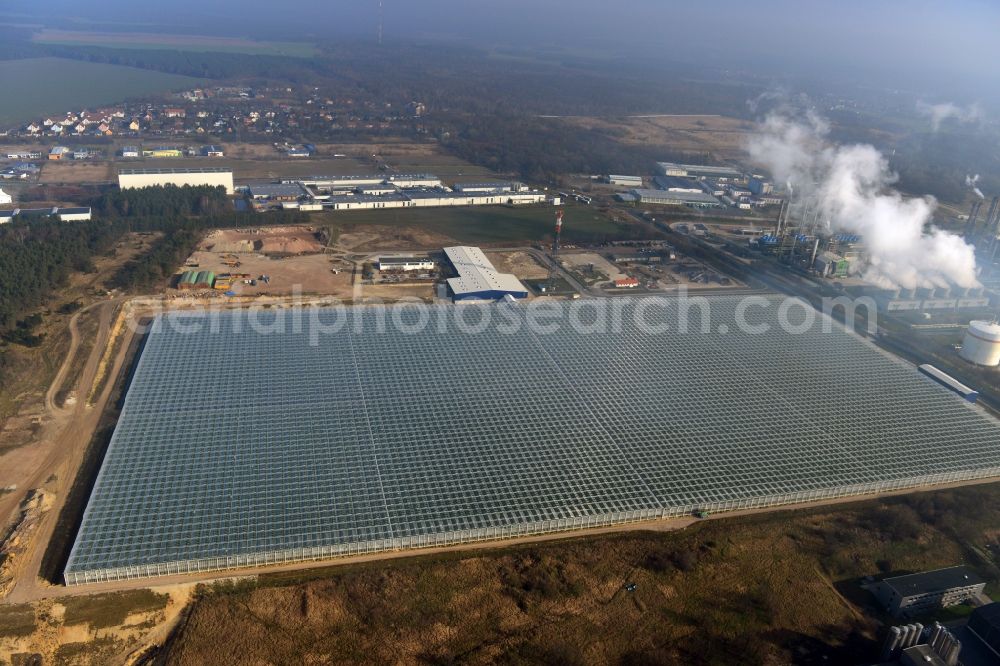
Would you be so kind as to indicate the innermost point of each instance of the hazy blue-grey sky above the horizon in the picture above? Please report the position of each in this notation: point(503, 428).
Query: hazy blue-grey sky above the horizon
point(946, 46)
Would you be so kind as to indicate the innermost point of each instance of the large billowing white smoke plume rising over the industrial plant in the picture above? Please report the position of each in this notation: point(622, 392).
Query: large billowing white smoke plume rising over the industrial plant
point(850, 189)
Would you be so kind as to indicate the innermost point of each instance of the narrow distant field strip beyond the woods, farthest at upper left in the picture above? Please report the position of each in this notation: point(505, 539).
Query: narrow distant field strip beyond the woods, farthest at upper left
point(166, 42)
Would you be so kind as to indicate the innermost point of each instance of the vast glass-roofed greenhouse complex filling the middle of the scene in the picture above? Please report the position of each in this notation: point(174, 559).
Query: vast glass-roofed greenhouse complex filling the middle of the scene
point(250, 438)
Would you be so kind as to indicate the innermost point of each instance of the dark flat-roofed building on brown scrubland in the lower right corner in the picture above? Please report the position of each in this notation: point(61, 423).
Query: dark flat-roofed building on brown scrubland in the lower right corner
point(918, 593)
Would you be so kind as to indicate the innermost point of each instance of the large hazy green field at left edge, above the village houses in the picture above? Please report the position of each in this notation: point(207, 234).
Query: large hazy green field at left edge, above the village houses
point(39, 86)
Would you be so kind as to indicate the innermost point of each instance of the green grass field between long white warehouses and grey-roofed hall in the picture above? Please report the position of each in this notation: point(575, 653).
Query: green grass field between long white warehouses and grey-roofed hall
point(494, 224)
